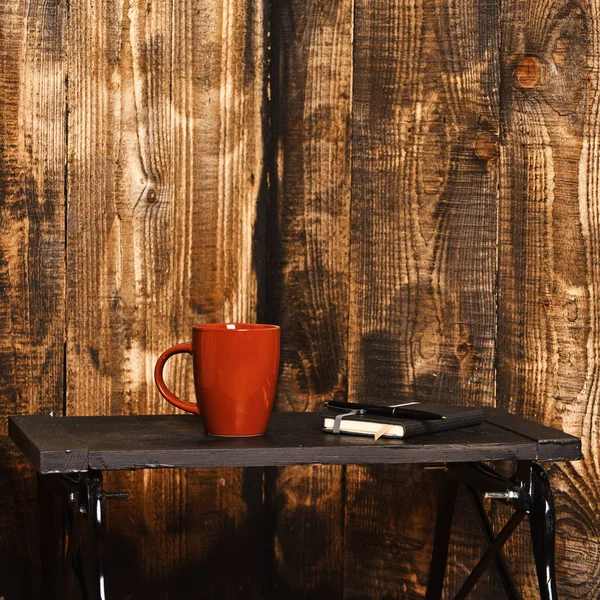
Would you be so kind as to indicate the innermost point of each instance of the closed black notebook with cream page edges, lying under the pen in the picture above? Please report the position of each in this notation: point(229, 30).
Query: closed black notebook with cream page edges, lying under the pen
point(393, 427)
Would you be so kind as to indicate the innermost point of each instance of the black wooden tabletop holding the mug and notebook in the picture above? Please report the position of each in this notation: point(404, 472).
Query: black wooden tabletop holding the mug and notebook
point(75, 444)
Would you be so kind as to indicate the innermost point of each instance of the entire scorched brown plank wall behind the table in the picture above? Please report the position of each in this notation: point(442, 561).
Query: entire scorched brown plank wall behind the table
point(409, 187)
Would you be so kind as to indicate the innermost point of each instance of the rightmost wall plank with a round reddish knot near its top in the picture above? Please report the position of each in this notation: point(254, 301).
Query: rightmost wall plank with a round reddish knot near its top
point(548, 325)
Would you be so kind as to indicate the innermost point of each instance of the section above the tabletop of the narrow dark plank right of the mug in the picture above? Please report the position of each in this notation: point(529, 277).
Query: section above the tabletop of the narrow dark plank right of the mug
point(308, 293)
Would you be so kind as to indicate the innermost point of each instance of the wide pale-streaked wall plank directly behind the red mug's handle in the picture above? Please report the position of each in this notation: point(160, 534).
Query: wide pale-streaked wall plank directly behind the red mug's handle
point(166, 105)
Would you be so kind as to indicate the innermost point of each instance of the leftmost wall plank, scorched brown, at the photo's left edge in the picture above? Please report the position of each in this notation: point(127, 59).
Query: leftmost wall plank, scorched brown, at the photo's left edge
point(32, 271)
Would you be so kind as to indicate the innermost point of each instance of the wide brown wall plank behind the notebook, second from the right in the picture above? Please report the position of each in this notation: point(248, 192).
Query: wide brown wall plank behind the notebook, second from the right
point(423, 251)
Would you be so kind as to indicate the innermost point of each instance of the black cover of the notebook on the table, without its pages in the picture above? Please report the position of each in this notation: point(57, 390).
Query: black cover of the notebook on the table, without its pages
point(456, 417)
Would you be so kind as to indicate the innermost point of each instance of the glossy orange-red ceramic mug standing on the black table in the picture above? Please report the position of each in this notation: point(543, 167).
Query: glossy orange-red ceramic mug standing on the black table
point(235, 376)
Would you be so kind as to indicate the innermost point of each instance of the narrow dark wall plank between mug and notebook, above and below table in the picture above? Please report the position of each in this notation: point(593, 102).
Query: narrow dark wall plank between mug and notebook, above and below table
point(307, 277)
